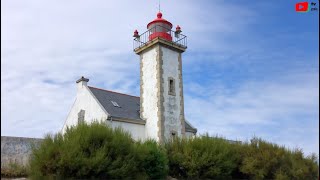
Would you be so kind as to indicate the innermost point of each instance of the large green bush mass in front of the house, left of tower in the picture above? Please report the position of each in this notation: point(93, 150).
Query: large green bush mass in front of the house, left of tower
point(96, 151)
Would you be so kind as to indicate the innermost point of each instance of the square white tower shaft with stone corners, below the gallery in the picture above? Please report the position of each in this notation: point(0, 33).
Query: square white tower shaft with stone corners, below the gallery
point(162, 111)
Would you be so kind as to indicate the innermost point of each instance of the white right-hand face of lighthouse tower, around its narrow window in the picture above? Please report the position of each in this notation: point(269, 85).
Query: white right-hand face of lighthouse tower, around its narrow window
point(172, 107)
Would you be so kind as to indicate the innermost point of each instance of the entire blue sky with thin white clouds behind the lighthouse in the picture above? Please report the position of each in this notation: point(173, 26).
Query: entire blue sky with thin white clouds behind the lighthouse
point(251, 67)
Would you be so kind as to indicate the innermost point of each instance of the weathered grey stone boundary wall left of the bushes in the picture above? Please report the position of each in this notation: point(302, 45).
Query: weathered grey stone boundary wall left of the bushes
point(16, 149)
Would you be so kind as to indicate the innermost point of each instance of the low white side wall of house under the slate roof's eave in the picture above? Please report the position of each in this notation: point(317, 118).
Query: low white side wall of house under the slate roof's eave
point(137, 131)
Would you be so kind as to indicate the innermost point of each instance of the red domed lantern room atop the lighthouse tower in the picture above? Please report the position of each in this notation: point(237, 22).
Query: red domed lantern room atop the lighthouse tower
point(160, 28)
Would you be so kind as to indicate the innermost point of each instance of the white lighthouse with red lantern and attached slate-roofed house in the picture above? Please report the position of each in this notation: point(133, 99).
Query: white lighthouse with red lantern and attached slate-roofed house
point(159, 112)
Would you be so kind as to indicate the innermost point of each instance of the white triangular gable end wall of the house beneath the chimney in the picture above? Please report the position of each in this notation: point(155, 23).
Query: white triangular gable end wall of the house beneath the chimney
point(84, 101)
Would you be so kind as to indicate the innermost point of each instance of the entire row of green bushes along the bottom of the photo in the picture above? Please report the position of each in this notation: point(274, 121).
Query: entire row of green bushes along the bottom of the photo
point(98, 151)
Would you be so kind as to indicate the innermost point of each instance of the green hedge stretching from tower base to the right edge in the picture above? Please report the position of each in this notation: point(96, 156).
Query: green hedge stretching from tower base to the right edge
point(216, 158)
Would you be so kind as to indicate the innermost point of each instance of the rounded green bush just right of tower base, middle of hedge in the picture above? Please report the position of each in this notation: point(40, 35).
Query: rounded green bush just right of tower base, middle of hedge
point(202, 158)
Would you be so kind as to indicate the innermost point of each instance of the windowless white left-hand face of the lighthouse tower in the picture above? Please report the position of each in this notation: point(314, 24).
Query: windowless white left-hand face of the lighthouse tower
point(149, 95)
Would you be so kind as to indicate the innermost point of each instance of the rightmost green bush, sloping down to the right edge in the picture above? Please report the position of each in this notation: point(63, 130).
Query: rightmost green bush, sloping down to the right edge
point(264, 160)
